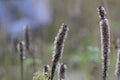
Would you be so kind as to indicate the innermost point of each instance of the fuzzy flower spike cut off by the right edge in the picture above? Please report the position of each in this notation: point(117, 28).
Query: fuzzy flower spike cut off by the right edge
point(117, 72)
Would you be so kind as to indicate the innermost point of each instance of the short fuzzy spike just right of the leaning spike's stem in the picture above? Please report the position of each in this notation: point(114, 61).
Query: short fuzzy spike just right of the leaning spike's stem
point(62, 71)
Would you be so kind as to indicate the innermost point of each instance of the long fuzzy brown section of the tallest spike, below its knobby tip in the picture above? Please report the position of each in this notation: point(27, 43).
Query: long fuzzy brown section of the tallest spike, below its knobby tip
point(105, 38)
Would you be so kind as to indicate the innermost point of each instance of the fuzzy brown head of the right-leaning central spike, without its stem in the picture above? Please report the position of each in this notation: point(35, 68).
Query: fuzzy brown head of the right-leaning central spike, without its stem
point(59, 42)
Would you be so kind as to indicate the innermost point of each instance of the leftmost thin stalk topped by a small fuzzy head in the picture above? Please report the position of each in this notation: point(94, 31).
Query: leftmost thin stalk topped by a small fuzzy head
point(20, 47)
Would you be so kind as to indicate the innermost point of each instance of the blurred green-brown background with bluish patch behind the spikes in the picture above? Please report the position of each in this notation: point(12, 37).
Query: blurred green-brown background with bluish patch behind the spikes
point(82, 52)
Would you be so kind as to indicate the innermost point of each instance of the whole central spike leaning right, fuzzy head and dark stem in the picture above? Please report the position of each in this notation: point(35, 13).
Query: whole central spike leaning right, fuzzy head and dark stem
point(58, 47)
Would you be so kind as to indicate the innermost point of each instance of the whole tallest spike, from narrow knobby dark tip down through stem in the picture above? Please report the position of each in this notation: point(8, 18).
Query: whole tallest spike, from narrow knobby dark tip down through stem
point(105, 40)
